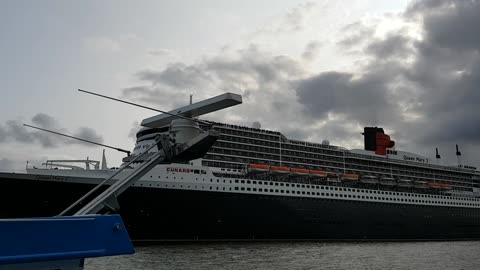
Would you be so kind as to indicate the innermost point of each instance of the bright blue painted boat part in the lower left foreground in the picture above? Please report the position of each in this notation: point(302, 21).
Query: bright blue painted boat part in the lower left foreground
point(60, 242)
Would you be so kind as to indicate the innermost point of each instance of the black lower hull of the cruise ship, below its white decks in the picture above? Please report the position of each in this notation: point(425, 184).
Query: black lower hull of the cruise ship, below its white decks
point(169, 214)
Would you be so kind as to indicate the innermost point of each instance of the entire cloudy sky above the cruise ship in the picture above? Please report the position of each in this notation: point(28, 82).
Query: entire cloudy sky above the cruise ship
point(311, 70)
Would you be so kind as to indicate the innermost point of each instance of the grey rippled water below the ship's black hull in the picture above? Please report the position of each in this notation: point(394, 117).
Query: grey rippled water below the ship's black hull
point(299, 255)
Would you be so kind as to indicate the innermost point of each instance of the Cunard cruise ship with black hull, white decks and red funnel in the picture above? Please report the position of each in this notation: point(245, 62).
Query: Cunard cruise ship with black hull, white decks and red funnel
point(249, 183)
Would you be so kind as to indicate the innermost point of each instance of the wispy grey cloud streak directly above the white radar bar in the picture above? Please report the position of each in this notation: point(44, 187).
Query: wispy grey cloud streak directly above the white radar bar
point(248, 70)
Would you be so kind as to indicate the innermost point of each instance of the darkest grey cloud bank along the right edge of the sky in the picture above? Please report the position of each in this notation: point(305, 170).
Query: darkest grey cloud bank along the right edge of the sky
point(447, 68)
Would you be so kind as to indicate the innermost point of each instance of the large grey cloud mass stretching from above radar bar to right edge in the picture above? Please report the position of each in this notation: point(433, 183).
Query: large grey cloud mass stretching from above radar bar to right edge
point(418, 81)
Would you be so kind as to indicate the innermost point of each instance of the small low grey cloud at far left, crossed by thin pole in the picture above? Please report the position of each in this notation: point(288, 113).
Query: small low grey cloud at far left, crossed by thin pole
point(14, 131)
